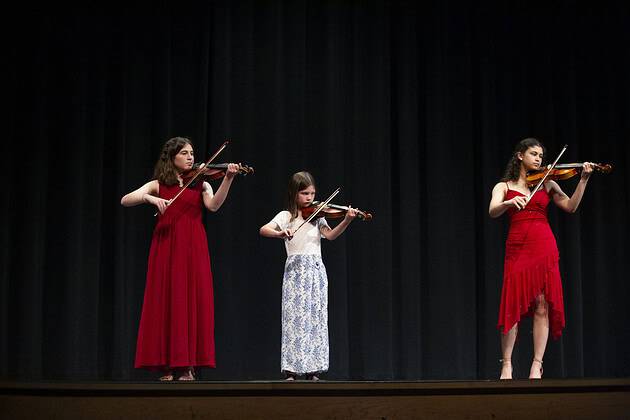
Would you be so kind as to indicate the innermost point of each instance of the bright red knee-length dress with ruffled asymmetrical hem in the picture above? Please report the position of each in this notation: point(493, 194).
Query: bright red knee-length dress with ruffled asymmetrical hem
point(531, 265)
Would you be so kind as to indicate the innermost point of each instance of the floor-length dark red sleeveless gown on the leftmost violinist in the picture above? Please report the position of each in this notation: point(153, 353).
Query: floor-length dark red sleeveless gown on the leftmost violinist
point(177, 322)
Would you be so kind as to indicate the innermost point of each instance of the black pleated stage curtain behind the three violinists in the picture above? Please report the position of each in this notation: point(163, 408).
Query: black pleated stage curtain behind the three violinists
point(412, 109)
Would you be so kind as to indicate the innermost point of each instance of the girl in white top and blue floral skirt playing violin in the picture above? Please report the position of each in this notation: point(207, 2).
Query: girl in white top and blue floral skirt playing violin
point(305, 284)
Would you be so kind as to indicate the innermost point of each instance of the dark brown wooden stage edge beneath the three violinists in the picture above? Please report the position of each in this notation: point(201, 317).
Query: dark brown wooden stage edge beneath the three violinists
point(519, 399)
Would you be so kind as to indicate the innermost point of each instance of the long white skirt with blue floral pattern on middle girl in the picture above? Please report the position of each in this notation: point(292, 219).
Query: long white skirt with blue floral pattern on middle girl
point(304, 315)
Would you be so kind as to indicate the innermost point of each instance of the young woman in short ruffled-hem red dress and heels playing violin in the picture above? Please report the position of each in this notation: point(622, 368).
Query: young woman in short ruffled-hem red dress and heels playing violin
point(531, 278)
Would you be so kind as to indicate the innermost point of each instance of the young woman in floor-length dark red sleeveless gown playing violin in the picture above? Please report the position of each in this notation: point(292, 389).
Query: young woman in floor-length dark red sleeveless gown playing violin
point(177, 324)
